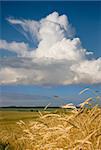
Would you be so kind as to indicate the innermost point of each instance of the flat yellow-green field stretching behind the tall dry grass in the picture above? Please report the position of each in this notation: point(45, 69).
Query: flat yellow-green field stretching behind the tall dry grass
point(10, 116)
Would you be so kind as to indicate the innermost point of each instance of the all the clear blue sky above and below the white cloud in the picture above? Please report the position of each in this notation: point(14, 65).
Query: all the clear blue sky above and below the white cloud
point(85, 17)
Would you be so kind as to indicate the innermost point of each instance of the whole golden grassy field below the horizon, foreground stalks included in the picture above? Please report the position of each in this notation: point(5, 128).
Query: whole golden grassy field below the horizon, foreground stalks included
point(57, 129)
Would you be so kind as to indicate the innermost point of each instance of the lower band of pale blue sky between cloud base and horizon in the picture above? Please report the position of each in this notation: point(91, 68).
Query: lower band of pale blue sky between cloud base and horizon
point(40, 96)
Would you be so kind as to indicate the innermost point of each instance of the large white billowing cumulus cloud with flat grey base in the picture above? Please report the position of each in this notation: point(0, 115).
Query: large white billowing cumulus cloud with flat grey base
point(57, 57)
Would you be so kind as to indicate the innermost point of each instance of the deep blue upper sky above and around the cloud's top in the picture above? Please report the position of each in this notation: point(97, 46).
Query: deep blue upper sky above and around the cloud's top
point(84, 16)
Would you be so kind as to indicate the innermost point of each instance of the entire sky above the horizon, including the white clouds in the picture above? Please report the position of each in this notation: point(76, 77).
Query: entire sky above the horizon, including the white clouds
point(47, 49)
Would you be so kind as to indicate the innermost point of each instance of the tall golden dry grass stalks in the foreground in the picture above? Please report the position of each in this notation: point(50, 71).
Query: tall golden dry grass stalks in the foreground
point(81, 130)
